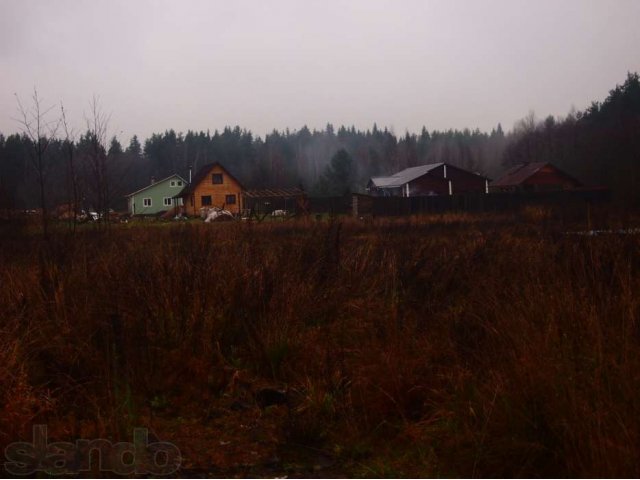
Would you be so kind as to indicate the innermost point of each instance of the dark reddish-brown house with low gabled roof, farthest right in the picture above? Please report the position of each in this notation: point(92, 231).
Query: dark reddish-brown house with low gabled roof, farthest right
point(534, 177)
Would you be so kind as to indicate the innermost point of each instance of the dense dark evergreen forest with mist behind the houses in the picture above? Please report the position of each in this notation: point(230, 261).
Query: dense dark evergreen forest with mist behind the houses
point(600, 146)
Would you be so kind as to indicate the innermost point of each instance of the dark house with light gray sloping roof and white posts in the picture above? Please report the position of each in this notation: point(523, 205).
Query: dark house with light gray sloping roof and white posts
point(426, 180)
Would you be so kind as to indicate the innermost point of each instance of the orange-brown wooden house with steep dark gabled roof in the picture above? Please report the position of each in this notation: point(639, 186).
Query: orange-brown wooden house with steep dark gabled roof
point(212, 186)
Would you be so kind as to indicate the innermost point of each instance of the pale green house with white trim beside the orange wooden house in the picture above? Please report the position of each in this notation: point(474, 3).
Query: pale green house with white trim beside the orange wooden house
point(157, 197)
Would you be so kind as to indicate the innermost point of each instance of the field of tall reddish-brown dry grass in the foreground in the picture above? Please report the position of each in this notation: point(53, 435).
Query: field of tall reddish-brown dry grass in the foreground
point(448, 346)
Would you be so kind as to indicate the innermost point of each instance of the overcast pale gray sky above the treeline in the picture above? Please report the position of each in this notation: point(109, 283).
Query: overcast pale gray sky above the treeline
point(262, 65)
